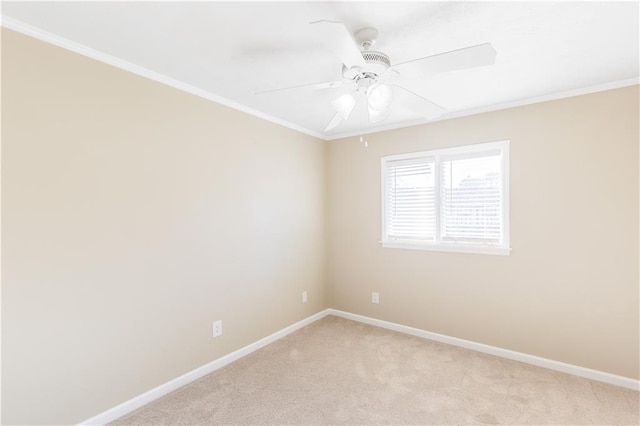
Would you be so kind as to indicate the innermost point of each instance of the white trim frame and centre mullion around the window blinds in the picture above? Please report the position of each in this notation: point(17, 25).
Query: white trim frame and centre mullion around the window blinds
point(480, 248)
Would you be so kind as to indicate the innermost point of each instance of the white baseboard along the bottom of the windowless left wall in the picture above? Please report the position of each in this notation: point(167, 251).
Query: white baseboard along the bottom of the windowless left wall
point(157, 392)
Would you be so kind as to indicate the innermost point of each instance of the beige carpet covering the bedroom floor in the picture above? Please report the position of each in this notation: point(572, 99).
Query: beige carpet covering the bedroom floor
point(337, 371)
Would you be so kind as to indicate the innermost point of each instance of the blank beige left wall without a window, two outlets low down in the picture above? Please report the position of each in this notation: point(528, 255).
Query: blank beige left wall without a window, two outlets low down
point(133, 216)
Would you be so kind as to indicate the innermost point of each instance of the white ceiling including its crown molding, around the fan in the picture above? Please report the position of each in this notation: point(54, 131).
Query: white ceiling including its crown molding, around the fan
point(227, 51)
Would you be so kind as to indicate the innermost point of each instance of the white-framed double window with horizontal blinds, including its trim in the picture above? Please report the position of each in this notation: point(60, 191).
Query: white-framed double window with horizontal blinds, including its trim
point(454, 199)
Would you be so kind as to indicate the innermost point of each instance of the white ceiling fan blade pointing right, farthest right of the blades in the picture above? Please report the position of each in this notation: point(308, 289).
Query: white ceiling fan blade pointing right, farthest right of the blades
point(468, 57)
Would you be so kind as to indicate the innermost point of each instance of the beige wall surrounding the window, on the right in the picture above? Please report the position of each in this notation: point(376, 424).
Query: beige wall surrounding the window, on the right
point(569, 289)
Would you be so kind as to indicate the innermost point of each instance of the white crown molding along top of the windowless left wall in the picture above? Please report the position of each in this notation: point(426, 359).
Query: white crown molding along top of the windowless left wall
point(30, 30)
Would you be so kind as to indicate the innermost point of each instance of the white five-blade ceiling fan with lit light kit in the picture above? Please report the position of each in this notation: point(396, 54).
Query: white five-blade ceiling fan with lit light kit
point(375, 83)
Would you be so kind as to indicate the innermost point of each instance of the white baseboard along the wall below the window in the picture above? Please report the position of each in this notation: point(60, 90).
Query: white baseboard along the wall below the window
point(575, 370)
